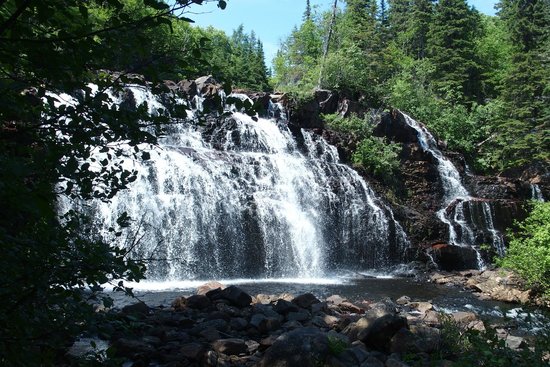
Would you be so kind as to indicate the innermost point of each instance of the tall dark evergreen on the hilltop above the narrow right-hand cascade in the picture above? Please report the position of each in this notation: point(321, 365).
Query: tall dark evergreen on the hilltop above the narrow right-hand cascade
point(451, 48)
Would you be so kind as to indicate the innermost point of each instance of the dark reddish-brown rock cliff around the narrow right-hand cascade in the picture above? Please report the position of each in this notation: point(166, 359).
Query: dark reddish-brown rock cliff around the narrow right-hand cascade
point(495, 202)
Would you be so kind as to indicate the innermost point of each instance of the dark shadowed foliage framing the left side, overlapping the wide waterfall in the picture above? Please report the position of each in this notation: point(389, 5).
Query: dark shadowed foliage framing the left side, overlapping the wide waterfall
point(56, 119)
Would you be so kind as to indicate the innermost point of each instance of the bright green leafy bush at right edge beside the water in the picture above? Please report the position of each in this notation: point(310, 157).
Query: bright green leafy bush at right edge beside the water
point(529, 251)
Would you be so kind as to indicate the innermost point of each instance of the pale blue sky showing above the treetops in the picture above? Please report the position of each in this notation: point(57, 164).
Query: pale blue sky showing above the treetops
point(272, 20)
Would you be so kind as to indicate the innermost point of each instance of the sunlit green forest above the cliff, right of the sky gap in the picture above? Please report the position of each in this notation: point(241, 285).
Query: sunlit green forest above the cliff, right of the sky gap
point(482, 83)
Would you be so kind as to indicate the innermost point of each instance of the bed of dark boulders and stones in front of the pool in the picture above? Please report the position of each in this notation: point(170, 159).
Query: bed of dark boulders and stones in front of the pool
point(225, 326)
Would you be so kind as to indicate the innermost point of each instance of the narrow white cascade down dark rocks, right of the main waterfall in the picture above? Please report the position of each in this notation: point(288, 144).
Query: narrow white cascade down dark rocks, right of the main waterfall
point(460, 211)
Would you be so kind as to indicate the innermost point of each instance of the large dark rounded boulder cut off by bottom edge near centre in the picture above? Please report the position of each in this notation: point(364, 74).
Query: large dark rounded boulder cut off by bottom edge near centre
point(306, 347)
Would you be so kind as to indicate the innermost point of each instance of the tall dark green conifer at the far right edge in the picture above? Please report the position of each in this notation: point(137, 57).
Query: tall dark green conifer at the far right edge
point(523, 135)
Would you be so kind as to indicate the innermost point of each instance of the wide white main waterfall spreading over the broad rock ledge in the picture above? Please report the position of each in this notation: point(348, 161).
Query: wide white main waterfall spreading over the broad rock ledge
point(246, 198)
